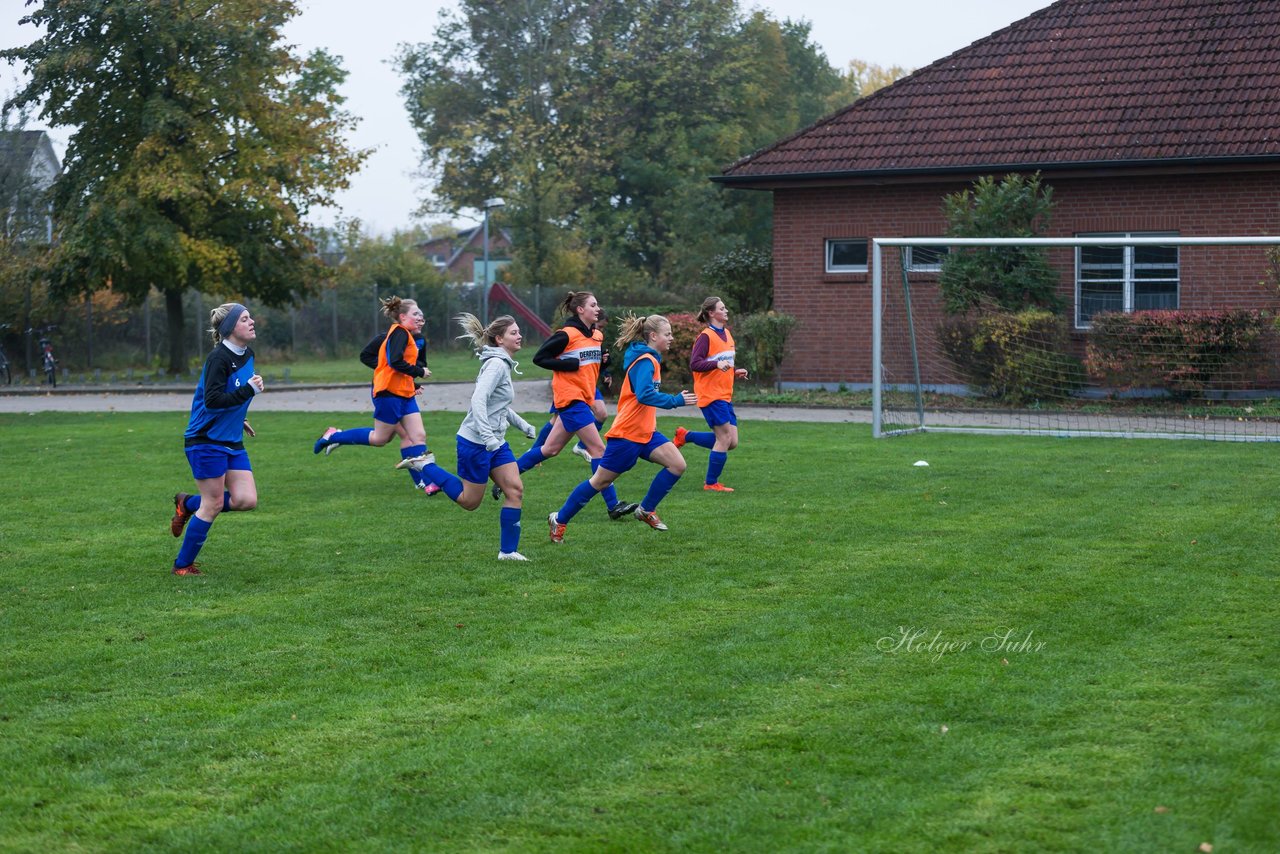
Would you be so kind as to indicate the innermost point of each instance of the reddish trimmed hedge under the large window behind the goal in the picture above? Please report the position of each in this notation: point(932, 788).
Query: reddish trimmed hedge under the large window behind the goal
point(1183, 353)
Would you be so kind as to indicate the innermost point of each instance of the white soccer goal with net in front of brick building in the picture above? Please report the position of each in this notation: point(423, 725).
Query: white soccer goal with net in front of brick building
point(1164, 337)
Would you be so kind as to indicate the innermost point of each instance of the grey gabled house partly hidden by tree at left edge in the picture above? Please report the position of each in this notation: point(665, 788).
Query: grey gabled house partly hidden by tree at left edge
point(29, 167)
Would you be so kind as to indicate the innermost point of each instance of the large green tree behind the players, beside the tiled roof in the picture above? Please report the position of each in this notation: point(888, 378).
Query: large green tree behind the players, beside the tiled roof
point(601, 124)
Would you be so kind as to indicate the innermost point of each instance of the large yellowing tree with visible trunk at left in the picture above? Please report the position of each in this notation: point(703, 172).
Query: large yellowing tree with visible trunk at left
point(202, 145)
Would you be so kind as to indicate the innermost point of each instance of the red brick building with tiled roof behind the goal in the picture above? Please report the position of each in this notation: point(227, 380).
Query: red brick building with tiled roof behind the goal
point(1146, 117)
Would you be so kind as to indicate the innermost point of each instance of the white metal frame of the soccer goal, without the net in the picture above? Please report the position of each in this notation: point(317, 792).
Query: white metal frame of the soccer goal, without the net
point(880, 244)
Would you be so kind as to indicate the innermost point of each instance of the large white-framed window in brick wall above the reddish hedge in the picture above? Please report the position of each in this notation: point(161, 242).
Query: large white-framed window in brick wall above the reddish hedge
point(1124, 278)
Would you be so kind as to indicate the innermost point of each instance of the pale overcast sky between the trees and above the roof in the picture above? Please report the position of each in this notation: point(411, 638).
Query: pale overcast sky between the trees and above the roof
point(911, 34)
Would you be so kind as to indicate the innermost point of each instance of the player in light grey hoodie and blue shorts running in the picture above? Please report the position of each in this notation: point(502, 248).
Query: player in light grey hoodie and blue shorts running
point(483, 454)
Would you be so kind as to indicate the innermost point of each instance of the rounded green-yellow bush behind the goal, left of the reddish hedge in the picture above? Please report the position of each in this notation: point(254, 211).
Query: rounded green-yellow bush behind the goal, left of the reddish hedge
point(1017, 358)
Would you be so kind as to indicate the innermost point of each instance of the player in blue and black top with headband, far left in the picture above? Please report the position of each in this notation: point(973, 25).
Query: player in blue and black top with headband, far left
point(216, 435)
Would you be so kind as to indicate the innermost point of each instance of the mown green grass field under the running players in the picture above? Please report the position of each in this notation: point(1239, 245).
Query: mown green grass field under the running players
point(1028, 646)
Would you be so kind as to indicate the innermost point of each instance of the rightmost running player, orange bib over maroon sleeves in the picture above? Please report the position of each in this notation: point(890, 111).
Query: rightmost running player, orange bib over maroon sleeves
point(712, 366)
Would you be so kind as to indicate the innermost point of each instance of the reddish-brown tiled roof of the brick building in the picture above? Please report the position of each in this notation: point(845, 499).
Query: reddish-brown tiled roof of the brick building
point(1082, 83)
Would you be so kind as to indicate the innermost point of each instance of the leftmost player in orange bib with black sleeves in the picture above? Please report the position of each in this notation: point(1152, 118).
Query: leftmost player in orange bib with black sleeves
point(395, 403)
